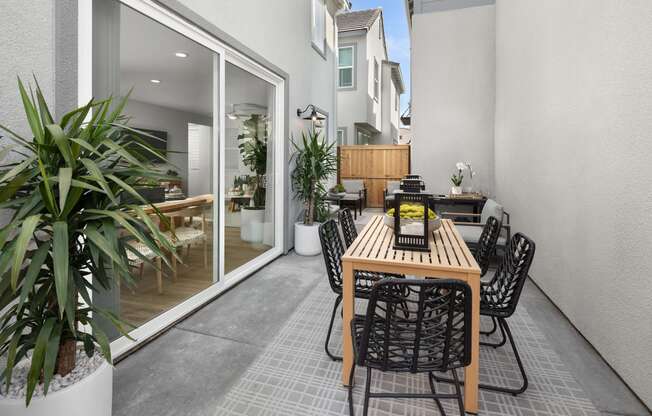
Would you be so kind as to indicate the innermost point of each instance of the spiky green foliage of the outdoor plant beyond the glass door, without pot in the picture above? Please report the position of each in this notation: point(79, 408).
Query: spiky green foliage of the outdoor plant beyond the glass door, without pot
point(315, 161)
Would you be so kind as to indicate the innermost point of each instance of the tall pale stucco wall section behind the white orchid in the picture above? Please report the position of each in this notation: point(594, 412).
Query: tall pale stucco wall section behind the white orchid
point(453, 78)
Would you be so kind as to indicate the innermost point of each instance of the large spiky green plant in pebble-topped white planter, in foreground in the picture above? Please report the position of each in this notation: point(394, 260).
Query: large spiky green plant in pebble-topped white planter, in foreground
point(64, 237)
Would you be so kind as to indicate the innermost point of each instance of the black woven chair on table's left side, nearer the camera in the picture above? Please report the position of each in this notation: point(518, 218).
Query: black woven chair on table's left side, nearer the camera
point(332, 250)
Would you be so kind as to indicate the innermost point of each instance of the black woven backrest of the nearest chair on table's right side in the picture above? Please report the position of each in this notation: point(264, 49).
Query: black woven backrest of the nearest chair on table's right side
point(504, 290)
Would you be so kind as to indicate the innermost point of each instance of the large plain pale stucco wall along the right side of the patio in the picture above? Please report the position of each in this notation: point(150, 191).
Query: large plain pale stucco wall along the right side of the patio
point(573, 123)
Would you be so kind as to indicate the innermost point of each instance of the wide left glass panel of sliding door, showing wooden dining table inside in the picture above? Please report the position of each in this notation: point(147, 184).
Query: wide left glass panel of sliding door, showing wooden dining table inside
point(171, 78)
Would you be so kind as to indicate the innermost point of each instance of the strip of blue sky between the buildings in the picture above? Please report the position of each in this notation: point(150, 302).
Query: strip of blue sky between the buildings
point(397, 36)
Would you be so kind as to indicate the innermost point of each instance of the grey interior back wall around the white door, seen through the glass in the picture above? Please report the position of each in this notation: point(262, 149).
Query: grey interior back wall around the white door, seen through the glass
point(175, 123)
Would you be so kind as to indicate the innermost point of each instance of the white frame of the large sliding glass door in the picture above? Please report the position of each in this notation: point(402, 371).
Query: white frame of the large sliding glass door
point(223, 53)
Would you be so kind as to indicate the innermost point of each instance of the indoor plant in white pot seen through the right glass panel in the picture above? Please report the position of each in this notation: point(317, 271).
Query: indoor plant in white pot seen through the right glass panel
point(253, 150)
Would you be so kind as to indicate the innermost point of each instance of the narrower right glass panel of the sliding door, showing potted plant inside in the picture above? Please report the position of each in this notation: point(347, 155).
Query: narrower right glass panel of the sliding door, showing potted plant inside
point(249, 171)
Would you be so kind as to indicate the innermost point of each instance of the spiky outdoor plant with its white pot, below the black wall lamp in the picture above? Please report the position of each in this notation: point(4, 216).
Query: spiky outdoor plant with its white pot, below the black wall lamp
point(315, 161)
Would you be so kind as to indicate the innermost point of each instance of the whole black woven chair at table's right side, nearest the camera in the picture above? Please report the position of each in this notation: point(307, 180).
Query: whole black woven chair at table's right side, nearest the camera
point(499, 299)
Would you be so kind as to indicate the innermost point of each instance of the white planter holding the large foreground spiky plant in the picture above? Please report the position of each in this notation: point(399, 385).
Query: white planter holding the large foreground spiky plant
point(91, 396)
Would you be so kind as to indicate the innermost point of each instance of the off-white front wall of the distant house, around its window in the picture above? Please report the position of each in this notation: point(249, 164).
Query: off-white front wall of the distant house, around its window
point(352, 102)
